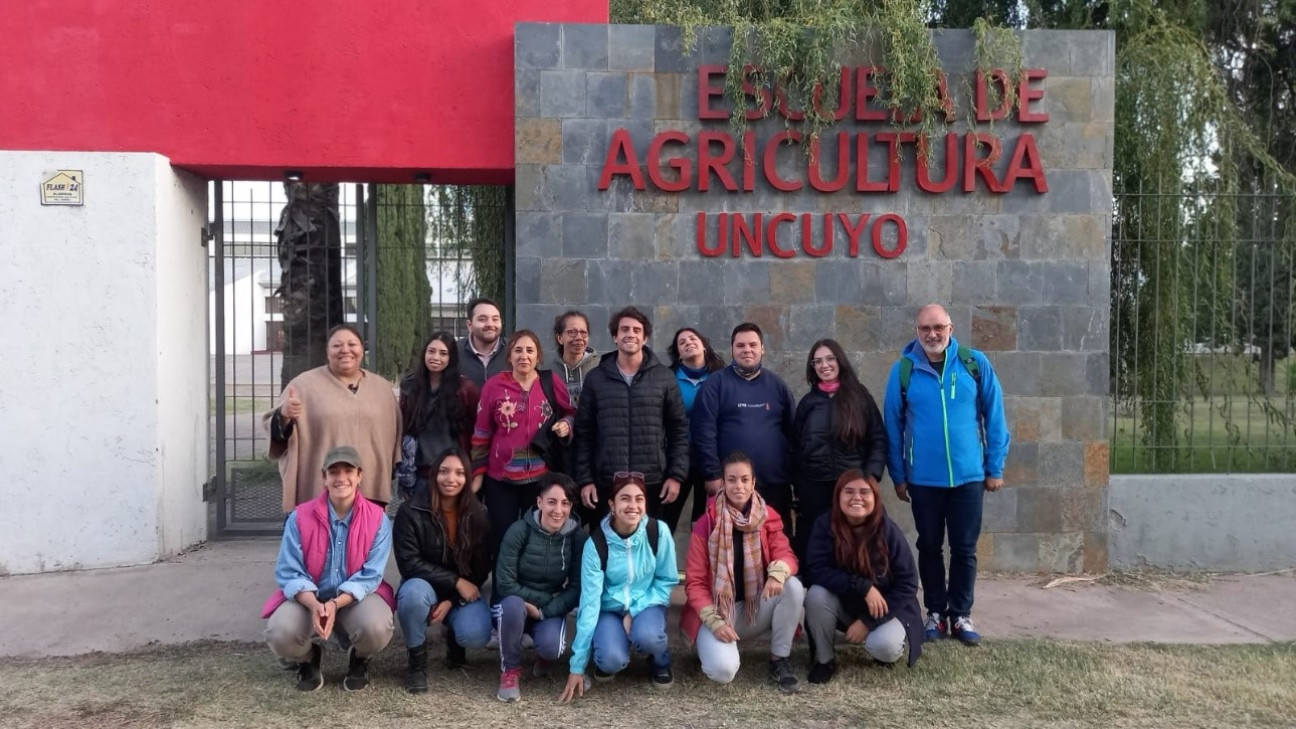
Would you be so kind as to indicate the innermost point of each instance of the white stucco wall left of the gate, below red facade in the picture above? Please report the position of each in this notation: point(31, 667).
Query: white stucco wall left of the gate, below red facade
point(103, 407)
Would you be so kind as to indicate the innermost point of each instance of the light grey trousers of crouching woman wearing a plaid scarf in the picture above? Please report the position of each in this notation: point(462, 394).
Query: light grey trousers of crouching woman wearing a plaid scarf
point(778, 617)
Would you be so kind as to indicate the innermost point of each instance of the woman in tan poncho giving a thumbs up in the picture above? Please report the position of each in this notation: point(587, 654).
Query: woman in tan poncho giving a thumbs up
point(339, 404)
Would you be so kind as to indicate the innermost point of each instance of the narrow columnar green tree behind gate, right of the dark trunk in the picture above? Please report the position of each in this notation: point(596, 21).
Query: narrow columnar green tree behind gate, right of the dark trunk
point(404, 293)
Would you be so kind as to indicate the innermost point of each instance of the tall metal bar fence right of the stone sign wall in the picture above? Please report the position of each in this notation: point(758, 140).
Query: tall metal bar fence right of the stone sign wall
point(1202, 361)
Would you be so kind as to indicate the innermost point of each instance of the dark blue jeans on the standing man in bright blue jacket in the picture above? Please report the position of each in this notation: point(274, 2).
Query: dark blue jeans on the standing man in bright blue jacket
point(958, 512)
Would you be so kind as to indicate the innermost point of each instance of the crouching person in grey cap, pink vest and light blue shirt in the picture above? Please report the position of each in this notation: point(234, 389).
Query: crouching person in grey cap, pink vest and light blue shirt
point(330, 574)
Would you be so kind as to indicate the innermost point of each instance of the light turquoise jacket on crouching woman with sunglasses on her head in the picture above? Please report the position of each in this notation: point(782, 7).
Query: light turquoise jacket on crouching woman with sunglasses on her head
point(636, 580)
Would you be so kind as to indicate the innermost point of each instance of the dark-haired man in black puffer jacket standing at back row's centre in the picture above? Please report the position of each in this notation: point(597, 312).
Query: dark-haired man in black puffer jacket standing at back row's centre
point(631, 420)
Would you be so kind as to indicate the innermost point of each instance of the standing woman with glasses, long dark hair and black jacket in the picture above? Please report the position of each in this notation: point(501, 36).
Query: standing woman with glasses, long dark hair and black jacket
point(839, 427)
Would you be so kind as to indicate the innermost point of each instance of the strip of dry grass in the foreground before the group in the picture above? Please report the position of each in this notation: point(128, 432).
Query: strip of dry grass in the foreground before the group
point(1001, 684)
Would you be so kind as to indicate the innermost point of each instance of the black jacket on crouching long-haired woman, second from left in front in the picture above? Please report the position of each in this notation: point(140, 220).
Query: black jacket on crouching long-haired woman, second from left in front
point(419, 543)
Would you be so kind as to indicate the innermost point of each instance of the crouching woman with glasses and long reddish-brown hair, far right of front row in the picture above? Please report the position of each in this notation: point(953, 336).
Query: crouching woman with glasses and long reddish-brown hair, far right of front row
point(865, 582)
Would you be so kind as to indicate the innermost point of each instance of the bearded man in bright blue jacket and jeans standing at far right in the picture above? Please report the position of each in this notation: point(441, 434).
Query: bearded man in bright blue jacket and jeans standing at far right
point(947, 448)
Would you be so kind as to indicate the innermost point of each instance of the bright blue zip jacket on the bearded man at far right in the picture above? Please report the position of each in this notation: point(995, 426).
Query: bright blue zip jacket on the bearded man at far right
point(938, 440)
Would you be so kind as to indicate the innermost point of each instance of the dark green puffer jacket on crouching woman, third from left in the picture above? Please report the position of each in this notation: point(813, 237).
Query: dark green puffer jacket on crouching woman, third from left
point(542, 569)
